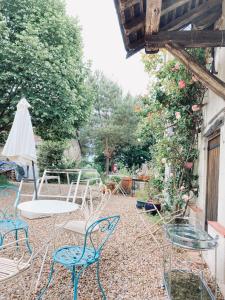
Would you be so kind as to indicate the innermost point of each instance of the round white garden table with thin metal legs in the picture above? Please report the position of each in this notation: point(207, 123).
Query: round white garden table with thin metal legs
point(46, 208)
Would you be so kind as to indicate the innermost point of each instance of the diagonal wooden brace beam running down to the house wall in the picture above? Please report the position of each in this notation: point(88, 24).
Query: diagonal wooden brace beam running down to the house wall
point(209, 80)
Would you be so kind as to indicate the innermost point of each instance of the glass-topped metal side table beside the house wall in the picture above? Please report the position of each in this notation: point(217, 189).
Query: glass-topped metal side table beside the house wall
point(183, 283)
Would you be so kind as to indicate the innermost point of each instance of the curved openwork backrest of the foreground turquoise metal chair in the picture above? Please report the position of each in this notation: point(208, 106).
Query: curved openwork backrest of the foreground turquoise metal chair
point(104, 227)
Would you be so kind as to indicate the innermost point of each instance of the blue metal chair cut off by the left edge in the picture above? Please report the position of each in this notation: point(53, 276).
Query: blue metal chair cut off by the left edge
point(9, 221)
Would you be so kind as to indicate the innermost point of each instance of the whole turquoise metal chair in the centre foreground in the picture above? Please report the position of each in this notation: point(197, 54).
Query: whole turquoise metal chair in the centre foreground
point(78, 258)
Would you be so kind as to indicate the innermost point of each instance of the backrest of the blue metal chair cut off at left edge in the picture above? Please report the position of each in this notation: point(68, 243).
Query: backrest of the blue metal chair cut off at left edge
point(9, 200)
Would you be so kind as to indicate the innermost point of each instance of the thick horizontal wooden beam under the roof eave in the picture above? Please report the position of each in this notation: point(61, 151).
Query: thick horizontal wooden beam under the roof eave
point(187, 39)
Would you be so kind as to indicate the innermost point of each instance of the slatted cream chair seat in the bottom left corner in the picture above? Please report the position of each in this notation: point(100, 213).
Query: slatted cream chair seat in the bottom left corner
point(10, 268)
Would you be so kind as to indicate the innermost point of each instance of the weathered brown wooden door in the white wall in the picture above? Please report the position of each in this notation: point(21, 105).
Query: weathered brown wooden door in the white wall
point(213, 178)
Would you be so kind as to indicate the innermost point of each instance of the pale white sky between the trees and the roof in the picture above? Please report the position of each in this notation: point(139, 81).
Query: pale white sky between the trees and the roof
point(103, 44)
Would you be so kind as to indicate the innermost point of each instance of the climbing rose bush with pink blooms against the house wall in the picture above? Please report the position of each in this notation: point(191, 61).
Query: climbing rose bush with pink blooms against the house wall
point(173, 125)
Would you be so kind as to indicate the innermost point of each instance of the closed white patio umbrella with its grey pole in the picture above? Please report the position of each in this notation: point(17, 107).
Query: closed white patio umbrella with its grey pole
point(20, 145)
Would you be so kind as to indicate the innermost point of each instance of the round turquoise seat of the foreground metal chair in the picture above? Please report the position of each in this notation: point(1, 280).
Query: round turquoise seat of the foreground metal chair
point(71, 255)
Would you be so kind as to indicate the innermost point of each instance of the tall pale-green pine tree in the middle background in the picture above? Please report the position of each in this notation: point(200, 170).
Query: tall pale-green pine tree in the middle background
point(113, 121)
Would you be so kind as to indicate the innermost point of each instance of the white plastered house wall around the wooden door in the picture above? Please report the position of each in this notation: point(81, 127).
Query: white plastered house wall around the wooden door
point(212, 111)
